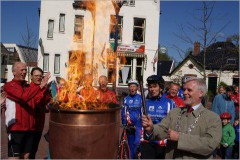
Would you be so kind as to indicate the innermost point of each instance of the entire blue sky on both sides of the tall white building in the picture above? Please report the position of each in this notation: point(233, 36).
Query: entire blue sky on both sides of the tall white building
point(174, 13)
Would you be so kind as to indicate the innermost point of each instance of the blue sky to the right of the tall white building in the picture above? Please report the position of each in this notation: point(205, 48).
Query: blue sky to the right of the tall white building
point(176, 13)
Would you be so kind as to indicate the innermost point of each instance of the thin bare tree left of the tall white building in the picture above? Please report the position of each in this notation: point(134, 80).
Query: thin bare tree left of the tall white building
point(29, 40)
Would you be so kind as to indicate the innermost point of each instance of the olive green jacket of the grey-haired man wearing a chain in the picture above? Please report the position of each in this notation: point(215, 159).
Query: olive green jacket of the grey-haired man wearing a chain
point(200, 142)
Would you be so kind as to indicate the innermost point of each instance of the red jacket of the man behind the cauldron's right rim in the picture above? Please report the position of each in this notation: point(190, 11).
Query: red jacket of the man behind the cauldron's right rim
point(107, 96)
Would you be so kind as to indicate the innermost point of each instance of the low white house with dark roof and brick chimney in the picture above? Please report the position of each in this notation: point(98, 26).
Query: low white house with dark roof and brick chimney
point(222, 65)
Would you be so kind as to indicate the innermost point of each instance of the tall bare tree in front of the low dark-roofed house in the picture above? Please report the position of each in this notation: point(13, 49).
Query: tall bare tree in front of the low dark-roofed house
point(204, 32)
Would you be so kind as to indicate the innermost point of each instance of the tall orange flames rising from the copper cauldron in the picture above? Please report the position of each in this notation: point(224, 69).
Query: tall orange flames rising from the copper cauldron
point(84, 68)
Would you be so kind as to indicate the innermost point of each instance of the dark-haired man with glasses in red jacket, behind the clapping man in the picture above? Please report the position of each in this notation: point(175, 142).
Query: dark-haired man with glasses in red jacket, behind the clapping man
point(40, 105)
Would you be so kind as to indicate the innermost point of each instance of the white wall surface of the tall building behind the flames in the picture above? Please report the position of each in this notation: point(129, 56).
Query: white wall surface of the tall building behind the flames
point(62, 43)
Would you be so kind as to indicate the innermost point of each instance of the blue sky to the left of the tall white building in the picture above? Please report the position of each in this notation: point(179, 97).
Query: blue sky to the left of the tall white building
point(14, 17)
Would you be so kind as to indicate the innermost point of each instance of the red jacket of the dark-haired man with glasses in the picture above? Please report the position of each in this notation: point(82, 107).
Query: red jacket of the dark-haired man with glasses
point(40, 101)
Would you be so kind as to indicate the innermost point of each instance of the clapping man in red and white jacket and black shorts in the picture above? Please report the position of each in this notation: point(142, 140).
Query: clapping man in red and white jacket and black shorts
point(19, 113)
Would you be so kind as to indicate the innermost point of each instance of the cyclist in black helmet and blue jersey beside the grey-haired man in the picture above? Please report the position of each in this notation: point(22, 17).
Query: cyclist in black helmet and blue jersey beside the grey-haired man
point(158, 107)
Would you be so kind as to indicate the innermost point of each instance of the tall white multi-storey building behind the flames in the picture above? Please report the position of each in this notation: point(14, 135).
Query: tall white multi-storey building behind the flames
point(66, 29)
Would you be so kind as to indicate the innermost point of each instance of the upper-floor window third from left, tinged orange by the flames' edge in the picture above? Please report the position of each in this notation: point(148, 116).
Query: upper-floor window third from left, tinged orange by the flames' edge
point(78, 28)
